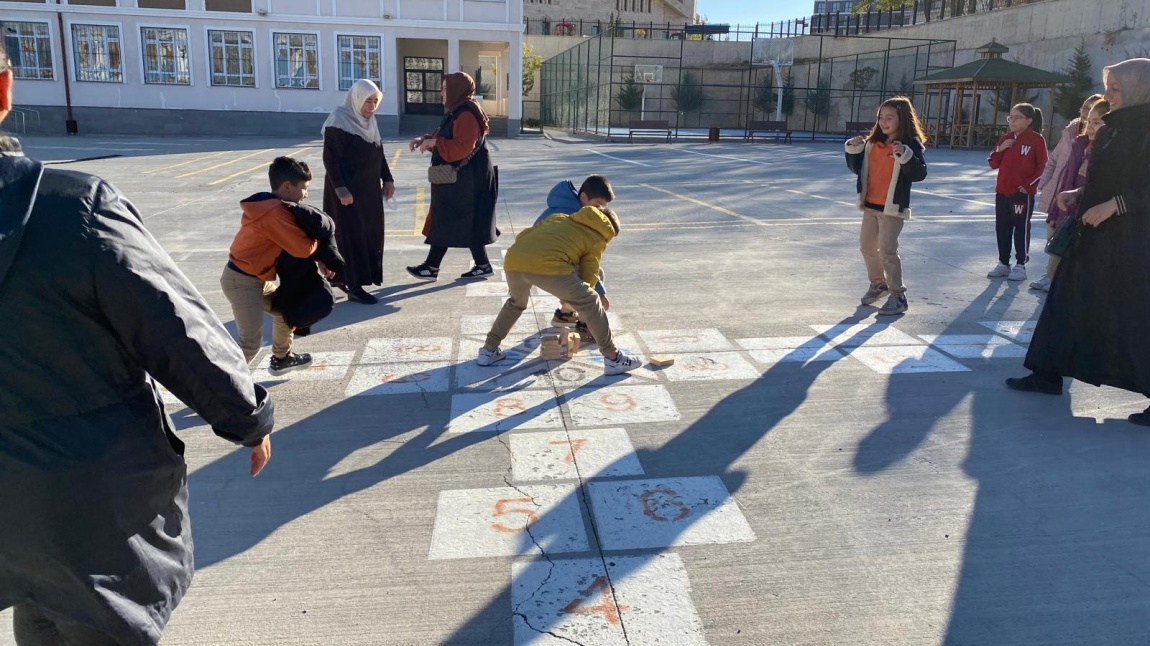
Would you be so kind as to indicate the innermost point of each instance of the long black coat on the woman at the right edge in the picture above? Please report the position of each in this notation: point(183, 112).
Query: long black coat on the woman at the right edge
point(1094, 325)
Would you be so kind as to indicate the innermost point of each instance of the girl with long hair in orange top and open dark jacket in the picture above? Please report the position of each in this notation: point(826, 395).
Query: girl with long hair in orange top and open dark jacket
point(887, 161)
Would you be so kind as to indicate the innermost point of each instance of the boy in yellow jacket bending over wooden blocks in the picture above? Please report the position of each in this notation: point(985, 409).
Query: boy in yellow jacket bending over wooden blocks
point(562, 257)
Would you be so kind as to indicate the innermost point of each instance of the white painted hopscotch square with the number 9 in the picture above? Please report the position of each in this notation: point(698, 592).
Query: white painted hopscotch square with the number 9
point(618, 406)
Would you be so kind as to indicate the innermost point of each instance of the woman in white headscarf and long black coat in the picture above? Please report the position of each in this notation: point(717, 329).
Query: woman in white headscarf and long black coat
point(358, 182)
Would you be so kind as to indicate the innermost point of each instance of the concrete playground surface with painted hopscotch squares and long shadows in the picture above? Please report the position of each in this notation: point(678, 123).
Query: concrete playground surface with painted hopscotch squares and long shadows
point(807, 473)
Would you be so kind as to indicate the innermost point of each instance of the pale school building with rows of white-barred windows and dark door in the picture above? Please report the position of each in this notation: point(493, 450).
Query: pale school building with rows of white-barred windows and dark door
point(255, 67)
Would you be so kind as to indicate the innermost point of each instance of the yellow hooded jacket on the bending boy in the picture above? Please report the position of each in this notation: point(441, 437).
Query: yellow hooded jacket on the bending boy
point(561, 243)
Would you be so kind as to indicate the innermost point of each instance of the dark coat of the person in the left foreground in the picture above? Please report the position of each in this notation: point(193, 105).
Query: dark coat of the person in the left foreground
point(94, 497)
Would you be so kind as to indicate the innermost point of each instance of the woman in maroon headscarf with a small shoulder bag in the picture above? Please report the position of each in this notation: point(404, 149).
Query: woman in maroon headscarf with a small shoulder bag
point(463, 214)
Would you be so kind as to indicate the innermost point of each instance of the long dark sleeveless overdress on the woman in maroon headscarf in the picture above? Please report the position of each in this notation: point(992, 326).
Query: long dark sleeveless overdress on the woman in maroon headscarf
point(464, 214)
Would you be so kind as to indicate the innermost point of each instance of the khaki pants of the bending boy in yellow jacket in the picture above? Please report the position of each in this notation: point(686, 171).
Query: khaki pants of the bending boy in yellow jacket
point(569, 289)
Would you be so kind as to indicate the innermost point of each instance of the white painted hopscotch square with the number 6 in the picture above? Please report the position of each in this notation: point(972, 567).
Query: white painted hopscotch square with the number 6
point(665, 513)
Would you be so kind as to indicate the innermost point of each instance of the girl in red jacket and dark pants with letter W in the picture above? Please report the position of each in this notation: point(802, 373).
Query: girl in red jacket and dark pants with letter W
point(1021, 158)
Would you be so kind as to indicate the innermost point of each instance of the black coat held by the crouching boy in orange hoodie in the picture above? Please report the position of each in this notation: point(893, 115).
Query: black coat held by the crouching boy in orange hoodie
point(304, 298)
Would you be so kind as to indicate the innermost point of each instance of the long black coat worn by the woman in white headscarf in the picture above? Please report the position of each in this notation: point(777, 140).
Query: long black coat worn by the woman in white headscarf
point(362, 167)
